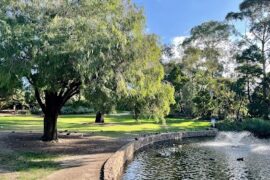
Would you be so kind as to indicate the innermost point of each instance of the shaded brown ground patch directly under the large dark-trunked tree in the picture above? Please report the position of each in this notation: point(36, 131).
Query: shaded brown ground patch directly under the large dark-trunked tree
point(73, 144)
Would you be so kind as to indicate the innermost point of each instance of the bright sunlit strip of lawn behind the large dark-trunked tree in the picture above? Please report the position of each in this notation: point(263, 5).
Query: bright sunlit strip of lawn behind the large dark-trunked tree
point(115, 125)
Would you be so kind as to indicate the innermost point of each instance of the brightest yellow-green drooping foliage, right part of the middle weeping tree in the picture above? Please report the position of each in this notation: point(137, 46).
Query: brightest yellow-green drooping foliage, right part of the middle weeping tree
point(144, 91)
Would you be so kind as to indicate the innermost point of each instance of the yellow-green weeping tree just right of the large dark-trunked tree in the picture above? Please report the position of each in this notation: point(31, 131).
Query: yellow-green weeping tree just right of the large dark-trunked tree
point(136, 80)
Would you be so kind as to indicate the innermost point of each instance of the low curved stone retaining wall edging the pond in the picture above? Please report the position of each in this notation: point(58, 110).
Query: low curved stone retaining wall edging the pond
point(114, 166)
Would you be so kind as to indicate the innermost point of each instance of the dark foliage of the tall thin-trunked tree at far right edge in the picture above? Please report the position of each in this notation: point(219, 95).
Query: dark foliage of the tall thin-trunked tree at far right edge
point(254, 60)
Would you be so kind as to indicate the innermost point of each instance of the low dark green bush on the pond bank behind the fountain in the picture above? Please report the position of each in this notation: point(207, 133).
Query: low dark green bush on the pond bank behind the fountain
point(258, 127)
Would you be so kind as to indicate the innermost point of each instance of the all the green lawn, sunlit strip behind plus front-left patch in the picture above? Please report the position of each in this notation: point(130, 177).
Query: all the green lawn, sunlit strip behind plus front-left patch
point(29, 164)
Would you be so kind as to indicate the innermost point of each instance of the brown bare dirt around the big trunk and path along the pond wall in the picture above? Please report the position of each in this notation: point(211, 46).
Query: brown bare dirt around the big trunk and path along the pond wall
point(81, 157)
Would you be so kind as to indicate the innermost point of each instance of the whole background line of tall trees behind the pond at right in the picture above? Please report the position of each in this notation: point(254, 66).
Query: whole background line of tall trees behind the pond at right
point(205, 86)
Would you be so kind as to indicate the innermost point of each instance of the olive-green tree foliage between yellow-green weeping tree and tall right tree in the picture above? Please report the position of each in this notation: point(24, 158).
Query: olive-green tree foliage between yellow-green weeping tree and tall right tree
point(201, 90)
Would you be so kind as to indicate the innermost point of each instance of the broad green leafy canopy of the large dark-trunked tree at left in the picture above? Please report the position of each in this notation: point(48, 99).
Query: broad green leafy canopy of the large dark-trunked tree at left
point(64, 44)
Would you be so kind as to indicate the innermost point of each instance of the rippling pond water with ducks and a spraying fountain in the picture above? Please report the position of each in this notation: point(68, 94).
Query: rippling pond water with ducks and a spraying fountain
point(228, 156)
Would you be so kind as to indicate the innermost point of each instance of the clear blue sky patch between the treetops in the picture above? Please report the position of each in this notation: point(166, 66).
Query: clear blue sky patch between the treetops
point(173, 18)
